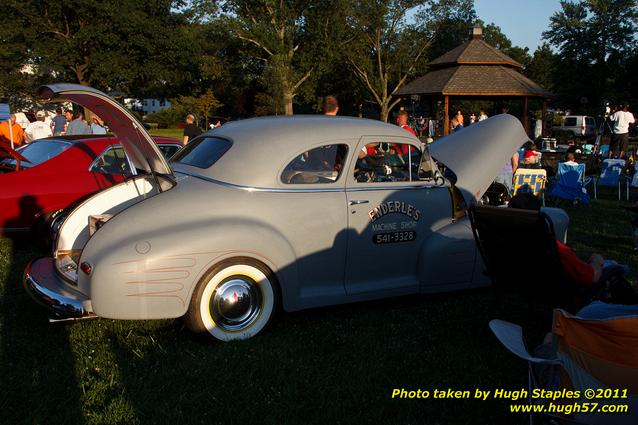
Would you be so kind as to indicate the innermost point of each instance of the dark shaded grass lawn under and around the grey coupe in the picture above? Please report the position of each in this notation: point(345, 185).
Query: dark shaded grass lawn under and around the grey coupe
point(324, 366)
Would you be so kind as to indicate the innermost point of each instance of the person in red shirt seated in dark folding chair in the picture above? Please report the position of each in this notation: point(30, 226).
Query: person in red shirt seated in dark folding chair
point(583, 273)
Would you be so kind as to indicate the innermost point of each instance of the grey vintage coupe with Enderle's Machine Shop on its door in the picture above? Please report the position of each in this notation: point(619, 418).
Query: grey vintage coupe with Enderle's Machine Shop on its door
point(301, 212)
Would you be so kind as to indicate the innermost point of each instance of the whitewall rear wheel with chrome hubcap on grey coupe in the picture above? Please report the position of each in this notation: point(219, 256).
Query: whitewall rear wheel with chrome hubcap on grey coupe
point(234, 300)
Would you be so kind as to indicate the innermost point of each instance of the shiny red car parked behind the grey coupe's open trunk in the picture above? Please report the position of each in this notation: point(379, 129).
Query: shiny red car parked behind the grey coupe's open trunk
point(55, 173)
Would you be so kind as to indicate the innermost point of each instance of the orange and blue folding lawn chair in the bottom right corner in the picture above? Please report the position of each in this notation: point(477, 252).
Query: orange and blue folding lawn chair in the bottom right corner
point(585, 354)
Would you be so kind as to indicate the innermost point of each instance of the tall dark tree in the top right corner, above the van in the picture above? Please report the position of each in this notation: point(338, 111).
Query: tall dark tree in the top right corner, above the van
point(587, 33)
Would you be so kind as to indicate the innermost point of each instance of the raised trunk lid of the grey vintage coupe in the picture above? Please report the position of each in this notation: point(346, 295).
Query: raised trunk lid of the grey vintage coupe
point(132, 135)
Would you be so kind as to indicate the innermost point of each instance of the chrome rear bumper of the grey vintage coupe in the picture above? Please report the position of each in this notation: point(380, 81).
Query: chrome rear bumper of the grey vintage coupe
point(59, 305)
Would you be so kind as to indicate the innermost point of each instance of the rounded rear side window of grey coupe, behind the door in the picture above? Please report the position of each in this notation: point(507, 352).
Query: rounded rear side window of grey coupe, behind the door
point(319, 165)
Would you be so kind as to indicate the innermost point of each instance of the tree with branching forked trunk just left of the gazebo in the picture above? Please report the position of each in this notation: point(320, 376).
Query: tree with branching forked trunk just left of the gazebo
point(384, 51)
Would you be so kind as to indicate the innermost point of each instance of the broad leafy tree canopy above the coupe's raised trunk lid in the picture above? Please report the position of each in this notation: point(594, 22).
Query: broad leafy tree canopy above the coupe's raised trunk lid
point(111, 45)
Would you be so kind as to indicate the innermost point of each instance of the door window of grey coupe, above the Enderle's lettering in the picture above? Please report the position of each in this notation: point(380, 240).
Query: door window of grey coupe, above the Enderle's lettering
point(388, 162)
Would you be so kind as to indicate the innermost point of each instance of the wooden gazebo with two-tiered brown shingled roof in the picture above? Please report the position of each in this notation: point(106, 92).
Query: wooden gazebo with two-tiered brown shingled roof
point(476, 71)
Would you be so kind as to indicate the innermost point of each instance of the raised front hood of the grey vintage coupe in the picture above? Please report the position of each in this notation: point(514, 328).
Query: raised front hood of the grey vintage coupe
point(477, 153)
